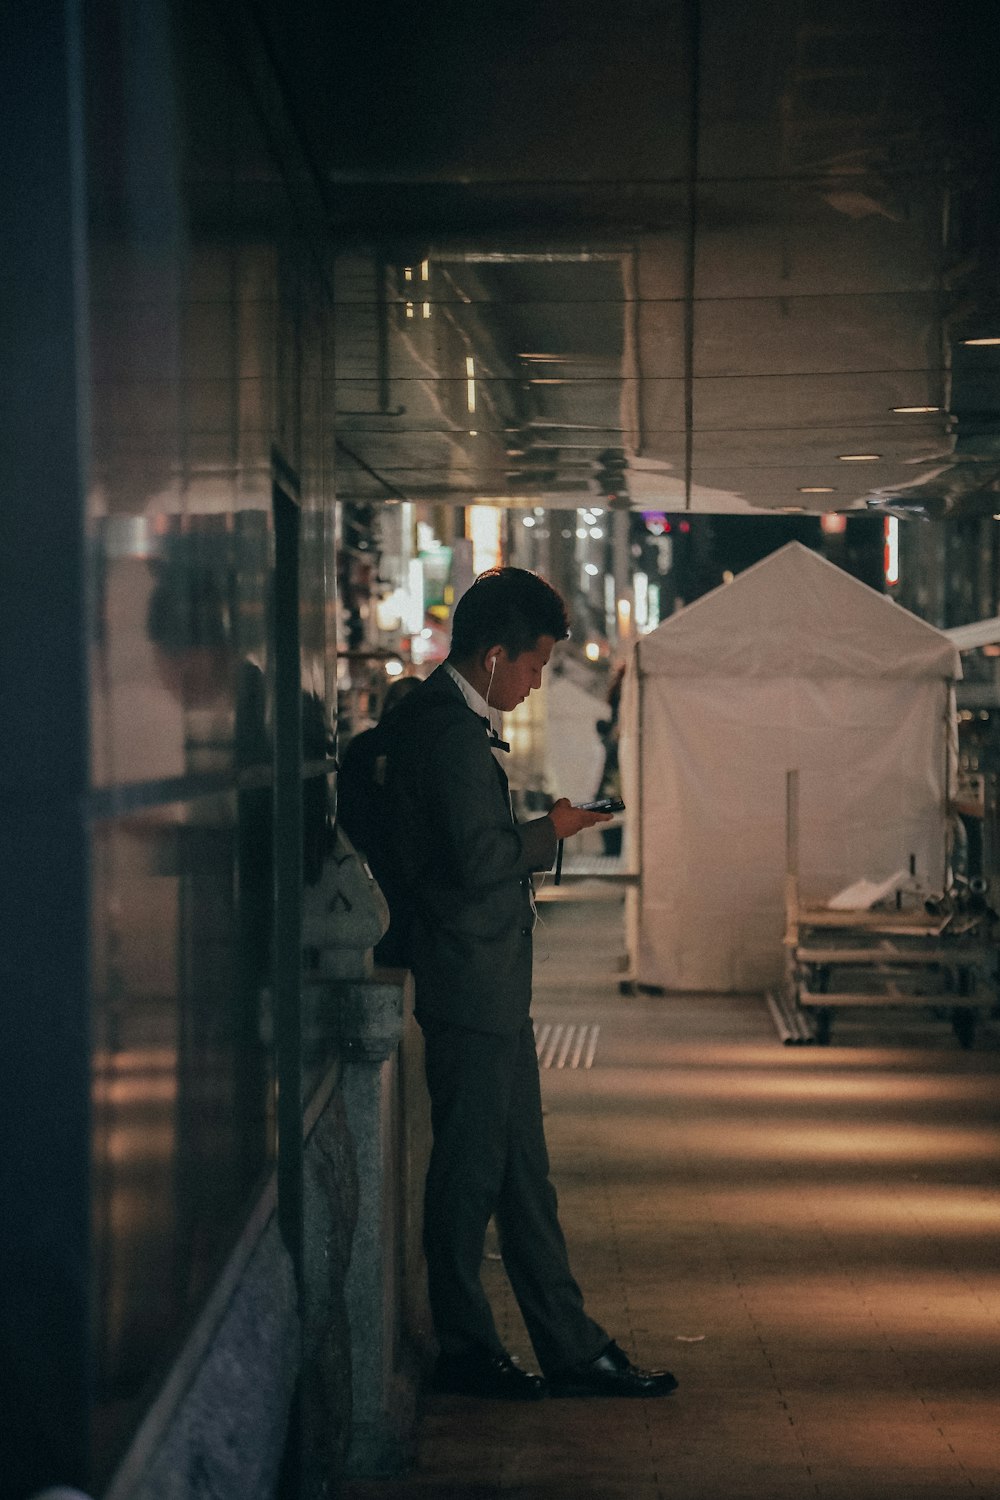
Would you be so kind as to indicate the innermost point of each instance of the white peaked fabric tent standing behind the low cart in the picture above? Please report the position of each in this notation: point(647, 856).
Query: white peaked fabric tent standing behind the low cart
point(794, 665)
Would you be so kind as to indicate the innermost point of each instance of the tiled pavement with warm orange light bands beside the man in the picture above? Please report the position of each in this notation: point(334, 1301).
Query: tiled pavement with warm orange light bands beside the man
point(809, 1238)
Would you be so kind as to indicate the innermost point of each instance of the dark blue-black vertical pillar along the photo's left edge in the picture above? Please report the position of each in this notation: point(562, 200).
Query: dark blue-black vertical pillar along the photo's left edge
point(46, 607)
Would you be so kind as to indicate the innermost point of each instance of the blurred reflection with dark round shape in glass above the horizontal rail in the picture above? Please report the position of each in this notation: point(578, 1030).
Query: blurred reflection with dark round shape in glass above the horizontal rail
point(181, 646)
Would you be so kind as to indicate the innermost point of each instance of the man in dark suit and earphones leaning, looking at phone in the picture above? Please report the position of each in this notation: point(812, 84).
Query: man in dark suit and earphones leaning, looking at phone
point(463, 872)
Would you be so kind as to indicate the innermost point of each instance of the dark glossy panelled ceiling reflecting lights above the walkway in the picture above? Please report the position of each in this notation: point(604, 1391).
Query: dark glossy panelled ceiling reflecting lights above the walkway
point(698, 254)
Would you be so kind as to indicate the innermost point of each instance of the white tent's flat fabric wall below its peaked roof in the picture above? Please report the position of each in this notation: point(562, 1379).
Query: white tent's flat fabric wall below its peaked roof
point(713, 763)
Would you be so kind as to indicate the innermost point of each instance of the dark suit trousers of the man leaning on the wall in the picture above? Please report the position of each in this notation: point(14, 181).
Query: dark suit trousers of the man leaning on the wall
point(490, 1159)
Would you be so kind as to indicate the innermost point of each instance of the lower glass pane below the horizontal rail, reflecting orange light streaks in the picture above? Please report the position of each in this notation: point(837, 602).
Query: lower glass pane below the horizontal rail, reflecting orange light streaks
point(184, 1082)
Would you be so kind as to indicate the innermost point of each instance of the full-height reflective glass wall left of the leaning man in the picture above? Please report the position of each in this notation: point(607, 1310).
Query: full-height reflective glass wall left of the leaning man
point(209, 352)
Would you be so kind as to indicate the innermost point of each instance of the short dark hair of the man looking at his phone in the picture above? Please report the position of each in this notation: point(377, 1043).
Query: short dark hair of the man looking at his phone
point(507, 607)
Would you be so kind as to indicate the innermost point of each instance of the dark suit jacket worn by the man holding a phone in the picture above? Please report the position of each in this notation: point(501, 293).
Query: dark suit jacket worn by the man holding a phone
point(463, 863)
